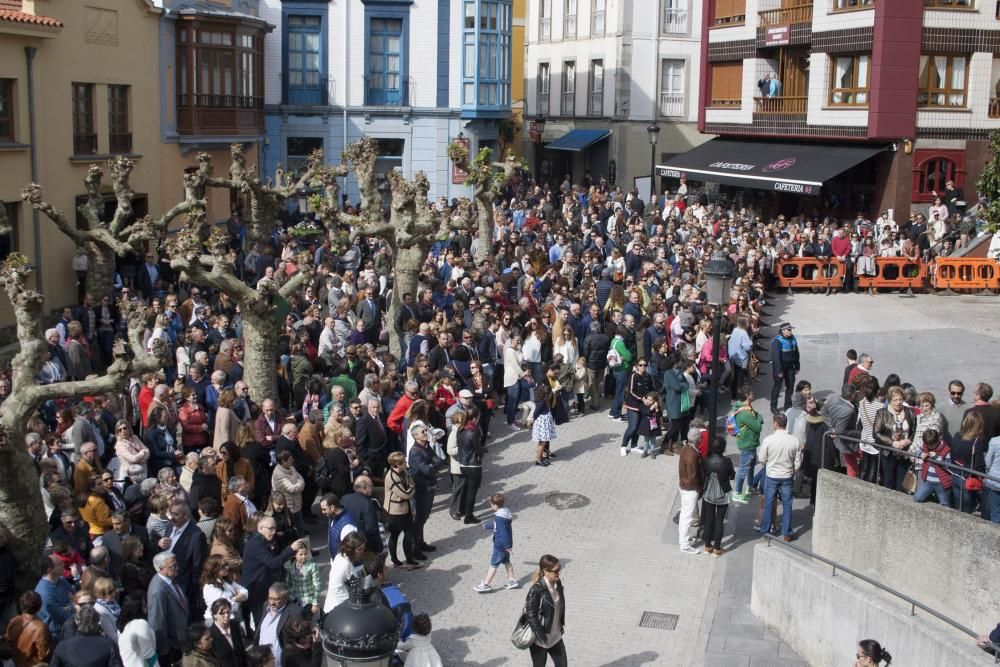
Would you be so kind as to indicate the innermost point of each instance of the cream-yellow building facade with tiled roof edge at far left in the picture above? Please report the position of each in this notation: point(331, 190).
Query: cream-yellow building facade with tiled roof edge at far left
point(78, 84)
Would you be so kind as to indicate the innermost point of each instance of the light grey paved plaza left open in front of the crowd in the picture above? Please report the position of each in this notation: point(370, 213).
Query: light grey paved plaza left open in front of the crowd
point(619, 550)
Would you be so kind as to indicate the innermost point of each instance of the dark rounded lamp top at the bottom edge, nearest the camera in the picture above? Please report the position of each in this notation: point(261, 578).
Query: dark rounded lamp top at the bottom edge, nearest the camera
point(360, 631)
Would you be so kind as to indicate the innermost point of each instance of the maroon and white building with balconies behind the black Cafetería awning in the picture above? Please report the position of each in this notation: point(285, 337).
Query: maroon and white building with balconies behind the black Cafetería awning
point(909, 87)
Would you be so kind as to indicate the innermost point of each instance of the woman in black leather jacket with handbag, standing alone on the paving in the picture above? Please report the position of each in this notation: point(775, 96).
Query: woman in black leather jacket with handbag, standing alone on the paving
point(545, 613)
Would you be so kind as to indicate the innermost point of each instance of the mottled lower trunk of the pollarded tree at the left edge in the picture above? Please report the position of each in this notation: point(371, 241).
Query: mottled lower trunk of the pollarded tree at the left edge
point(21, 508)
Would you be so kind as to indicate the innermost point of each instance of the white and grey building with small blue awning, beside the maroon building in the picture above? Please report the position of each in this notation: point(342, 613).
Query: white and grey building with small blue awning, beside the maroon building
point(611, 69)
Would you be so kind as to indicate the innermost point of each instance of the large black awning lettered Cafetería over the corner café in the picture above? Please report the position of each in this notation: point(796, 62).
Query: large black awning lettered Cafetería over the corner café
point(799, 168)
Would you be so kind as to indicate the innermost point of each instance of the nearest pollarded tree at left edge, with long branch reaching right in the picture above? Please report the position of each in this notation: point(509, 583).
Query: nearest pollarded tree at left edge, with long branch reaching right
point(21, 508)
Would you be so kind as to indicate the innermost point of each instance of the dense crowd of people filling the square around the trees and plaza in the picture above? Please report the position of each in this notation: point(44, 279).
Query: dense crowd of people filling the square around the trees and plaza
point(180, 508)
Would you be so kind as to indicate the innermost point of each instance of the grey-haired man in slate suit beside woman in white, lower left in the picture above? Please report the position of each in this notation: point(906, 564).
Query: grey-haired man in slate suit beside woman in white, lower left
point(167, 609)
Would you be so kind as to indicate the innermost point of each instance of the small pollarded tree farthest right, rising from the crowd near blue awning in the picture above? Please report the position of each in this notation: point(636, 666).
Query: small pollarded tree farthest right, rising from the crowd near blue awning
point(488, 179)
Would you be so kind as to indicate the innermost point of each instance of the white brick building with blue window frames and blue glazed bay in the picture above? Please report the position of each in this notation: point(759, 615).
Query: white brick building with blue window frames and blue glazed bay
point(414, 75)
